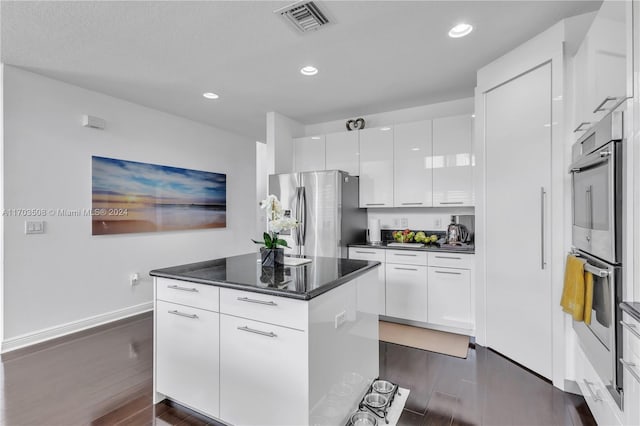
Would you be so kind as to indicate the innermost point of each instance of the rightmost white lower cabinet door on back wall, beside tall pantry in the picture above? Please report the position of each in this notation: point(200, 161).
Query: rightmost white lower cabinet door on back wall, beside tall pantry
point(449, 297)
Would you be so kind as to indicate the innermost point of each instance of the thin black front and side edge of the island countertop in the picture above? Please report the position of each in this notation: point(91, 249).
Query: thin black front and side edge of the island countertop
point(271, 291)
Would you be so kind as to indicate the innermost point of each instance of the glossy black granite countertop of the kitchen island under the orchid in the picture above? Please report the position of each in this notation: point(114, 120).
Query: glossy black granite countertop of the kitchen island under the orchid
point(244, 272)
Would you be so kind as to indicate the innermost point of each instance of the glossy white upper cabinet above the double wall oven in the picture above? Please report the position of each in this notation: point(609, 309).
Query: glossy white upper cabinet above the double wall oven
point(602, 65)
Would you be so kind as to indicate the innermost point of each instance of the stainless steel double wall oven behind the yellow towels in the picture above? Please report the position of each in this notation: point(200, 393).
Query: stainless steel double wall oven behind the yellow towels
point(596, 175)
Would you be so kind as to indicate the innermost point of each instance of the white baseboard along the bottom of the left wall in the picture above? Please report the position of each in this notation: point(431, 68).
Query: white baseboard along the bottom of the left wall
point(43, 335)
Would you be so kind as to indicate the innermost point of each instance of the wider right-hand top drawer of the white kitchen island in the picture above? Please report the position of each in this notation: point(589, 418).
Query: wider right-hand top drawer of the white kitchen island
point(265, 308)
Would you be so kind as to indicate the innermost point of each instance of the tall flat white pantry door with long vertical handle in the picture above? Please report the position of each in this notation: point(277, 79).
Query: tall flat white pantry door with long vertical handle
point(518, 174)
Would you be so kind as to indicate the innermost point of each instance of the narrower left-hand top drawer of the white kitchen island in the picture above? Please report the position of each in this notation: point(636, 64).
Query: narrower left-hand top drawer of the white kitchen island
point(186, 293)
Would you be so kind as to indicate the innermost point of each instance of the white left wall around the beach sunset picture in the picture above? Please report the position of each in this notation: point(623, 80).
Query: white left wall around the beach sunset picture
point(67, 279)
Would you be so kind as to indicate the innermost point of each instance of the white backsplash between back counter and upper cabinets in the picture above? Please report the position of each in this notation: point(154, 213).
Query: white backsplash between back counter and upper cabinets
point(435, 218)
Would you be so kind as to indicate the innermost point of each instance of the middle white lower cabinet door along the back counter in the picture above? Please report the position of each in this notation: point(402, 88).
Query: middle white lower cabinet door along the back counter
point(406, 289)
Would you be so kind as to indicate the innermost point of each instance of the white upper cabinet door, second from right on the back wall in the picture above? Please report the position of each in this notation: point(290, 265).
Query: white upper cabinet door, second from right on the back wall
point(412, 164)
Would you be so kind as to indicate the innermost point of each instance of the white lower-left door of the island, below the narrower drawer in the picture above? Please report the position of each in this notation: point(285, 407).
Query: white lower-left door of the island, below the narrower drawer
point(187, 356)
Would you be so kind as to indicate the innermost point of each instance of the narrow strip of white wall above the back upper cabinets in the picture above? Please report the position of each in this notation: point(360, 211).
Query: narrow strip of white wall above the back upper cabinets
point(406, 115)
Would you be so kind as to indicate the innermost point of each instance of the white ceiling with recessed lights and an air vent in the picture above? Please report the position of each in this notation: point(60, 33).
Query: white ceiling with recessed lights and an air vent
point(375, 56)
